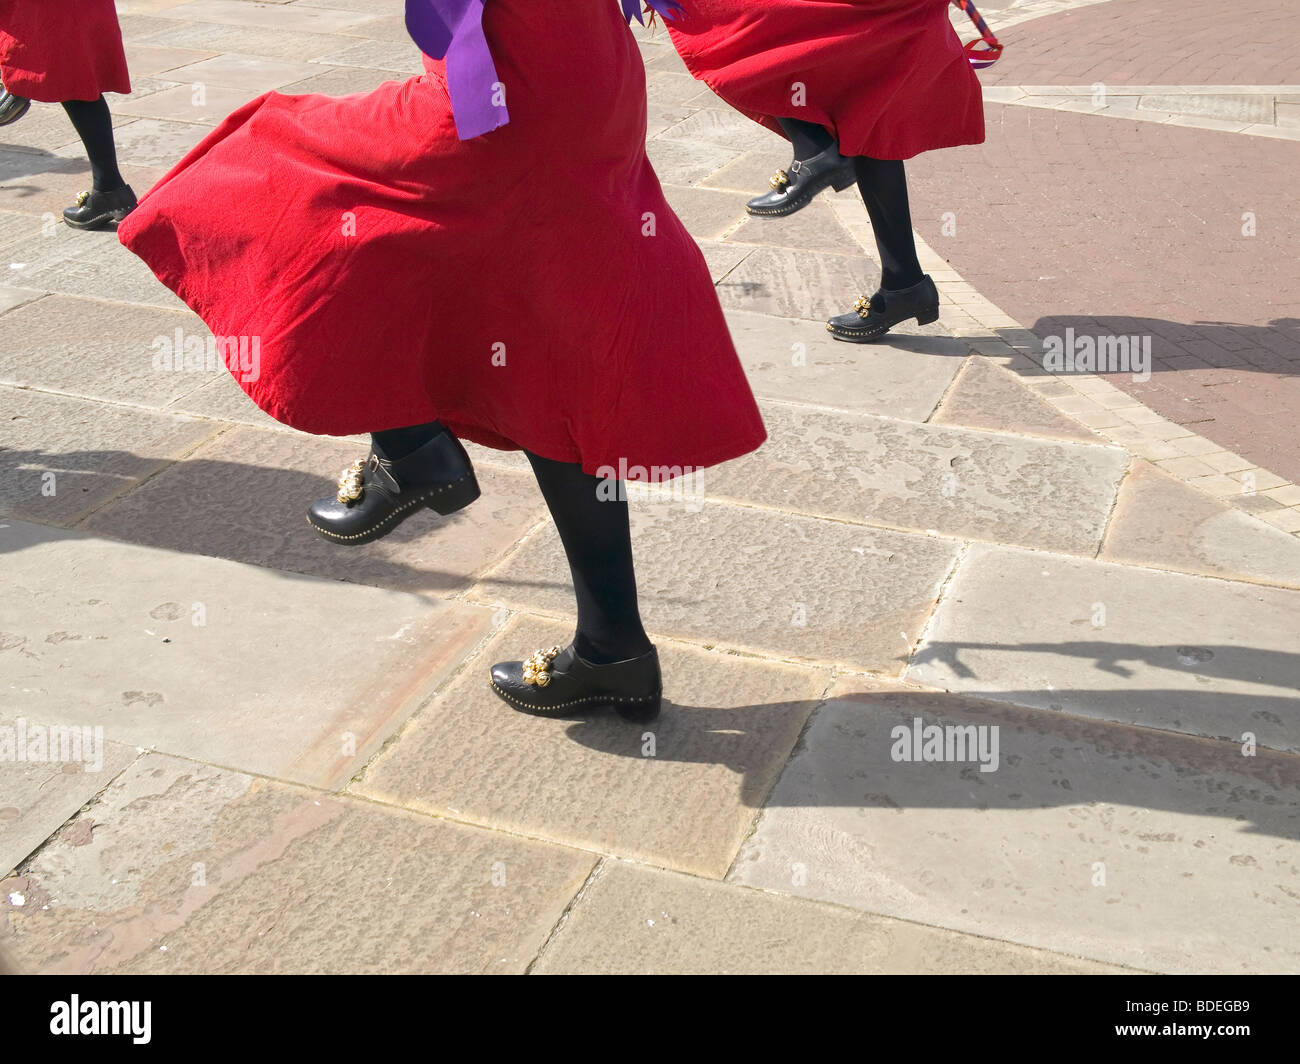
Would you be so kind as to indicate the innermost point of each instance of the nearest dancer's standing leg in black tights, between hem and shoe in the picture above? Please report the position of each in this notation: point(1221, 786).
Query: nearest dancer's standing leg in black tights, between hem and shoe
point(599, 544)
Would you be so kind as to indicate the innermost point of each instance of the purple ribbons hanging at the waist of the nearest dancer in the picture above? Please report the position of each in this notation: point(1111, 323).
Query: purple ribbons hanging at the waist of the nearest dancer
point(453, 31)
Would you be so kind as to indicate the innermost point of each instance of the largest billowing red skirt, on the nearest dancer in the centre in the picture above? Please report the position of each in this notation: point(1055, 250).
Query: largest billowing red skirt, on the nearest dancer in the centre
point(530, 288)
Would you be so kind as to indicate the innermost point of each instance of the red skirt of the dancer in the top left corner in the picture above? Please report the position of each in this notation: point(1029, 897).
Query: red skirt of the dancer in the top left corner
point(62, 50)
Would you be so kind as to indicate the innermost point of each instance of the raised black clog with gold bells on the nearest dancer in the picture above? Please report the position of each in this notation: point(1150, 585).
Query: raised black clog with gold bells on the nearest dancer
point(378, 495)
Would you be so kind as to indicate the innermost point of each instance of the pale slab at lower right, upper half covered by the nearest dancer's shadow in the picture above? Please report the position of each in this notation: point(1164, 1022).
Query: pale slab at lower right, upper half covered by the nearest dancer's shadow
point(1123, 845)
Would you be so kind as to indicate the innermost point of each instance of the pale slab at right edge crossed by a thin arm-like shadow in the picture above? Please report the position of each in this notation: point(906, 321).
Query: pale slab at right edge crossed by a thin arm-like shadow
point(1100, 641)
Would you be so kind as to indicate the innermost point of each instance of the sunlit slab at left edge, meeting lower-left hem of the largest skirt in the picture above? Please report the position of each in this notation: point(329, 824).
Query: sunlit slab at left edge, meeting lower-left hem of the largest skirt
point(118, 352)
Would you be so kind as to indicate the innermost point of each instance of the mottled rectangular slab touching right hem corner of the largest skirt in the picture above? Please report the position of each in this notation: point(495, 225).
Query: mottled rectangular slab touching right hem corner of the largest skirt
point(955, 482)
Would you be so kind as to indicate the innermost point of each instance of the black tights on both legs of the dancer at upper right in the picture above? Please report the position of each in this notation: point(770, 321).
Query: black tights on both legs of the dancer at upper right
point(885, 191)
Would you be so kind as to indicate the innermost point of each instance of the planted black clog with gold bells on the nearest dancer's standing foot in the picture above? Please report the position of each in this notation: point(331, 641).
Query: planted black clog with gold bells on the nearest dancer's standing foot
point(557, 682)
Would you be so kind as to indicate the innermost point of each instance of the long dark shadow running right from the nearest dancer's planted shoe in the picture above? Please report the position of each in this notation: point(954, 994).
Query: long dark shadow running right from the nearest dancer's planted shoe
point(1045, 759)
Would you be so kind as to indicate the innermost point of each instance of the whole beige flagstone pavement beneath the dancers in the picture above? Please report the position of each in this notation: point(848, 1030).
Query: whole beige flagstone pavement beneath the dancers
point(304, 767)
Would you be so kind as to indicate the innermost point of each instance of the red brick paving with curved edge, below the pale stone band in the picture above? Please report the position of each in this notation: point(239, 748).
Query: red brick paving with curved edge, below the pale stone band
point(1120, 227)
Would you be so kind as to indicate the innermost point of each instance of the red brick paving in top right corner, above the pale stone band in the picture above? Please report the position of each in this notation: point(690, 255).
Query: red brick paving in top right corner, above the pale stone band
point(1155, 42)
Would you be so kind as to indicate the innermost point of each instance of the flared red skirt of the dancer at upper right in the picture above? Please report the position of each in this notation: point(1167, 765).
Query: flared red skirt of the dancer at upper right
point(887, 77)
